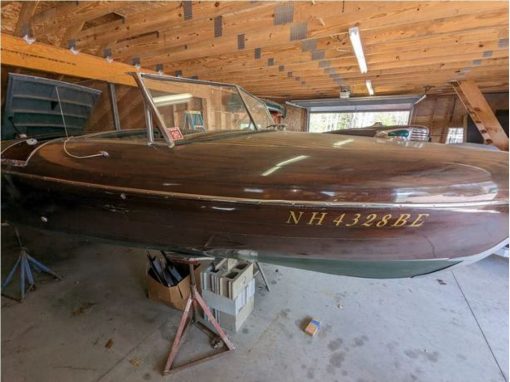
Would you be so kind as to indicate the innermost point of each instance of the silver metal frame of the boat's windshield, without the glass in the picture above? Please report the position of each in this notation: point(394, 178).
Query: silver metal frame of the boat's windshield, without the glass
point(151, 106)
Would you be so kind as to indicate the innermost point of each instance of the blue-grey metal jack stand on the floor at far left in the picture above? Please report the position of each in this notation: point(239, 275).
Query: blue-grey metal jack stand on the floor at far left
point(25, 261)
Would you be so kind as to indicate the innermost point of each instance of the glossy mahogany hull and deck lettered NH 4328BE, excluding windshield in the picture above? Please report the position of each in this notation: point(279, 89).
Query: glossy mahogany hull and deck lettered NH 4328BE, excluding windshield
point(371, 233)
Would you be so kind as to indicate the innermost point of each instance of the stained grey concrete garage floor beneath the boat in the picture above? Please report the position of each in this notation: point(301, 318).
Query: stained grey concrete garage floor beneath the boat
point(451, 326)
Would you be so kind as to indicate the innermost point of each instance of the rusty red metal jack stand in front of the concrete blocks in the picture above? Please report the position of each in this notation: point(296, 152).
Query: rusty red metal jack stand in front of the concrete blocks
point(189, 316)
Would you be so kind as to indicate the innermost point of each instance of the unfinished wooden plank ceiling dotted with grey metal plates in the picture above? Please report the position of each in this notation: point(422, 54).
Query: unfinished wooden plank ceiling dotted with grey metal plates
point(287, 50)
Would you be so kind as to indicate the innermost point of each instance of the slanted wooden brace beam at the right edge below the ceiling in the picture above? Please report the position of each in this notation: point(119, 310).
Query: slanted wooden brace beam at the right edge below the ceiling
point(481, 113)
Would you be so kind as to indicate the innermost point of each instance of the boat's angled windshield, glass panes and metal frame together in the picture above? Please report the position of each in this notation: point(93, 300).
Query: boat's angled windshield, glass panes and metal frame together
point(184, 106)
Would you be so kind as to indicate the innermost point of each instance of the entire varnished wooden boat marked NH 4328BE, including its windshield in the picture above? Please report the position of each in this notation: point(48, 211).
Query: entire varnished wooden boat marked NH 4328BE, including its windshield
point(343, 205)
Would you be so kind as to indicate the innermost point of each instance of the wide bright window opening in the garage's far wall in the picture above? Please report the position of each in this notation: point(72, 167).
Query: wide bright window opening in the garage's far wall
point(321, 122)
